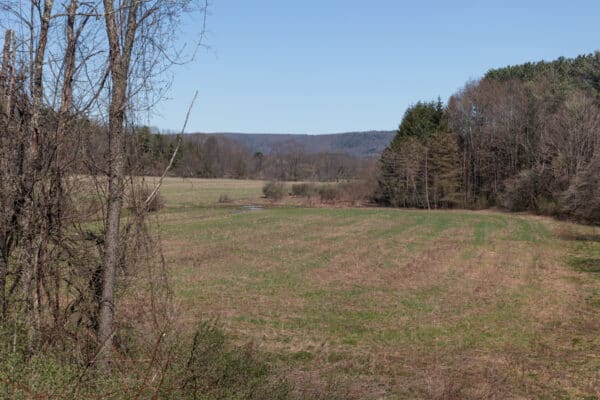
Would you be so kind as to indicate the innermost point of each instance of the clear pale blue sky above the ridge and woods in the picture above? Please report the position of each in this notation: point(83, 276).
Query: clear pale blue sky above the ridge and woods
point(325, 66)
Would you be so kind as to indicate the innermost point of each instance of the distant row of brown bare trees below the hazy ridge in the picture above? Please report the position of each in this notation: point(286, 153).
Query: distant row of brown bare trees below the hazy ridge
point(206, 156)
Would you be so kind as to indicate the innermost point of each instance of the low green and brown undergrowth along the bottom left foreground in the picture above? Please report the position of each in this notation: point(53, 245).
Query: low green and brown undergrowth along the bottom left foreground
point(205, 366)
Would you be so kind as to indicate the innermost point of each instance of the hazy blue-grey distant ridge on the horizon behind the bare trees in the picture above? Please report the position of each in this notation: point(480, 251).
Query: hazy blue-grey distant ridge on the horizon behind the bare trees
point(359, 144)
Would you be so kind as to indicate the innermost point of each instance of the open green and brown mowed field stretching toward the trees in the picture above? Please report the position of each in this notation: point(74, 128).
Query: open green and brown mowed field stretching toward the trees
point(390, 303)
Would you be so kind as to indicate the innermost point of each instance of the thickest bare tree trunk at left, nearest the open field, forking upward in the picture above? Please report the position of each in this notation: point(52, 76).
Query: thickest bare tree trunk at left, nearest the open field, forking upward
point(136, 32)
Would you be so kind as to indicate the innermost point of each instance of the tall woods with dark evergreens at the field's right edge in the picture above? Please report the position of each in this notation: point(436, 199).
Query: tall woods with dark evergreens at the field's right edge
point(525, 138)
